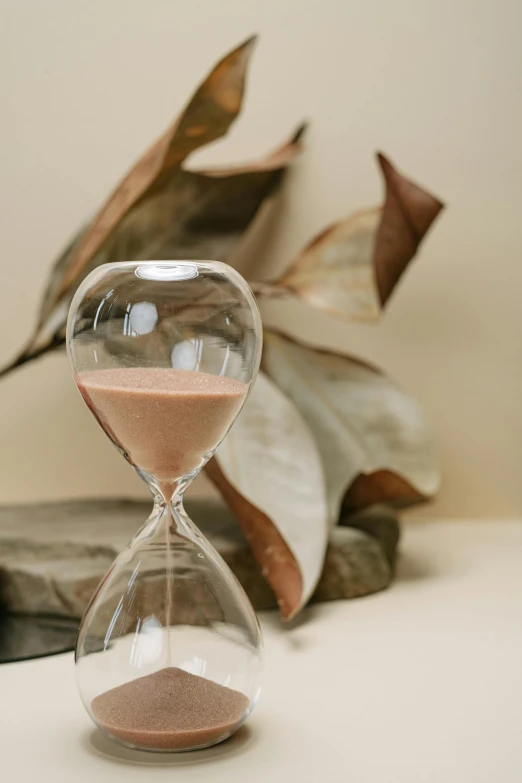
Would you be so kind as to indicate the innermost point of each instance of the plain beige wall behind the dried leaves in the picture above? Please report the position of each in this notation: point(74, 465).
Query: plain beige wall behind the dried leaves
point(85, 86)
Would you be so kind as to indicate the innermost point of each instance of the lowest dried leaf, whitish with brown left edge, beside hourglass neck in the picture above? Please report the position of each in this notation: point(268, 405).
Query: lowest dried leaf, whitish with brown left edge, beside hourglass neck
point(269, 472)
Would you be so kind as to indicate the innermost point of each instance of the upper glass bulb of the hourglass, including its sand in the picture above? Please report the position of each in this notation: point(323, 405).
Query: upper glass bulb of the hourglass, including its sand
point(139, 330)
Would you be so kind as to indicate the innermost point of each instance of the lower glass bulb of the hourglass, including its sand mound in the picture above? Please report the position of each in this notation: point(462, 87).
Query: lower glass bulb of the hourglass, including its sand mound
point(169, 650)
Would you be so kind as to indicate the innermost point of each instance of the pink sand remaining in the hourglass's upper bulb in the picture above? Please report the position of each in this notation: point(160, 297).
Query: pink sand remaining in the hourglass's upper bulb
point(166, 421)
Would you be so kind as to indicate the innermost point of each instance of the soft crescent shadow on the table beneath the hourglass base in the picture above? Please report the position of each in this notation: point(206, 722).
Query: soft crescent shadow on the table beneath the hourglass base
point(95, 742)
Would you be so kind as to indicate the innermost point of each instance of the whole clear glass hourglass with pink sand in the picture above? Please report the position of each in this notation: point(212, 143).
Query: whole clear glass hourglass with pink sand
point(169, 650)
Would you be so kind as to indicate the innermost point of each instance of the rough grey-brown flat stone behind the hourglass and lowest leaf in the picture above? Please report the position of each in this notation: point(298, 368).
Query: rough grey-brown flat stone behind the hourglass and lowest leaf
point(53, 555)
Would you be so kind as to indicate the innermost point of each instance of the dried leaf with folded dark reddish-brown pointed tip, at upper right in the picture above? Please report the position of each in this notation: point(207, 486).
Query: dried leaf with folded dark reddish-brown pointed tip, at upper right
point(351, 268)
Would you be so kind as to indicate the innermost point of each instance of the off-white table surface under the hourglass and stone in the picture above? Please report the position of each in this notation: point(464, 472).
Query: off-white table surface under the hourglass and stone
point(420, 684)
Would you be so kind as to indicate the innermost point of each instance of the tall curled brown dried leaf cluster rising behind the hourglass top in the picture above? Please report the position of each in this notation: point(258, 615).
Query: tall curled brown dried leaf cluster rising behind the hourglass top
point(171, 212)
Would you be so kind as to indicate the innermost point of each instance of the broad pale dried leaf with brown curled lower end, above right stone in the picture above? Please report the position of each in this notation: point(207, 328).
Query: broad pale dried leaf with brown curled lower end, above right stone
point(371, 436)
